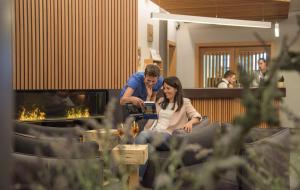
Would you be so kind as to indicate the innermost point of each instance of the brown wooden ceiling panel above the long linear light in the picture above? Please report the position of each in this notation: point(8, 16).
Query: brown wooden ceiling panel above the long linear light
point(235, 9)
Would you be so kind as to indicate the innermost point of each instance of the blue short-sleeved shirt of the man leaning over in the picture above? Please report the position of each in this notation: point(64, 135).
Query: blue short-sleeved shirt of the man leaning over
point(136, 82)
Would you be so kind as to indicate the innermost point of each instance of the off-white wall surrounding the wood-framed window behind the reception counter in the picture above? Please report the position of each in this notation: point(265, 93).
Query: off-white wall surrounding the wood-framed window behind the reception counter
point(190, 34)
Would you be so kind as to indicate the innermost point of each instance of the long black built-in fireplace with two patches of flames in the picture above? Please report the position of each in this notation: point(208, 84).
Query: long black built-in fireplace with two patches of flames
point(55, 105)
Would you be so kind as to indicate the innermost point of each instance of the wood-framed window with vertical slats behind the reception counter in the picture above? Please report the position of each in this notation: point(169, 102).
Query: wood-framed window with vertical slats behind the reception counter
point(214, 61)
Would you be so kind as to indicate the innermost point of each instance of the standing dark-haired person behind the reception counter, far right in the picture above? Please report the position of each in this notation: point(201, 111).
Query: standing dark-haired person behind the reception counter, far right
point(261, 75)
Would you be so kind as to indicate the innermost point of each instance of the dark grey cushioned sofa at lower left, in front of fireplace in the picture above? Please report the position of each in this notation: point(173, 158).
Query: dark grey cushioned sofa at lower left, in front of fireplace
point(45, 156)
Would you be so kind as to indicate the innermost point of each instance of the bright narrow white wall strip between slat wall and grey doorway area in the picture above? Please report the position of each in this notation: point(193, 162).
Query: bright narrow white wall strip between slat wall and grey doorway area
point(145, 7)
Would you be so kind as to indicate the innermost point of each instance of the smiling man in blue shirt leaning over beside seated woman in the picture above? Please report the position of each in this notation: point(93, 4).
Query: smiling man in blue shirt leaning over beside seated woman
point(142, 86)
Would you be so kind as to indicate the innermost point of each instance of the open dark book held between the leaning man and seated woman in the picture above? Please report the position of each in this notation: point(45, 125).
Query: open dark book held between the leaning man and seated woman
point(148, 111)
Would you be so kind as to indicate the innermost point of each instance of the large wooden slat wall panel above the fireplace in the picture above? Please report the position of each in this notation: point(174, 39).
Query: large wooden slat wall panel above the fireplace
point(74, 44)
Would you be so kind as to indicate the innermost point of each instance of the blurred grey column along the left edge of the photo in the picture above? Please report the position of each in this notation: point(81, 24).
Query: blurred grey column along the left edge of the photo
point(6, 96)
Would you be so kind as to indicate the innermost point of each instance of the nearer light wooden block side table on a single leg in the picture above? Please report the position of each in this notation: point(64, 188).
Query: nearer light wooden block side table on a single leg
point(133, 155)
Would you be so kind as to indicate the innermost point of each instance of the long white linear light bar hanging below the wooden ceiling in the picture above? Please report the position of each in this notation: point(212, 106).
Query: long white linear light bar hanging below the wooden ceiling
point(210, 20)
